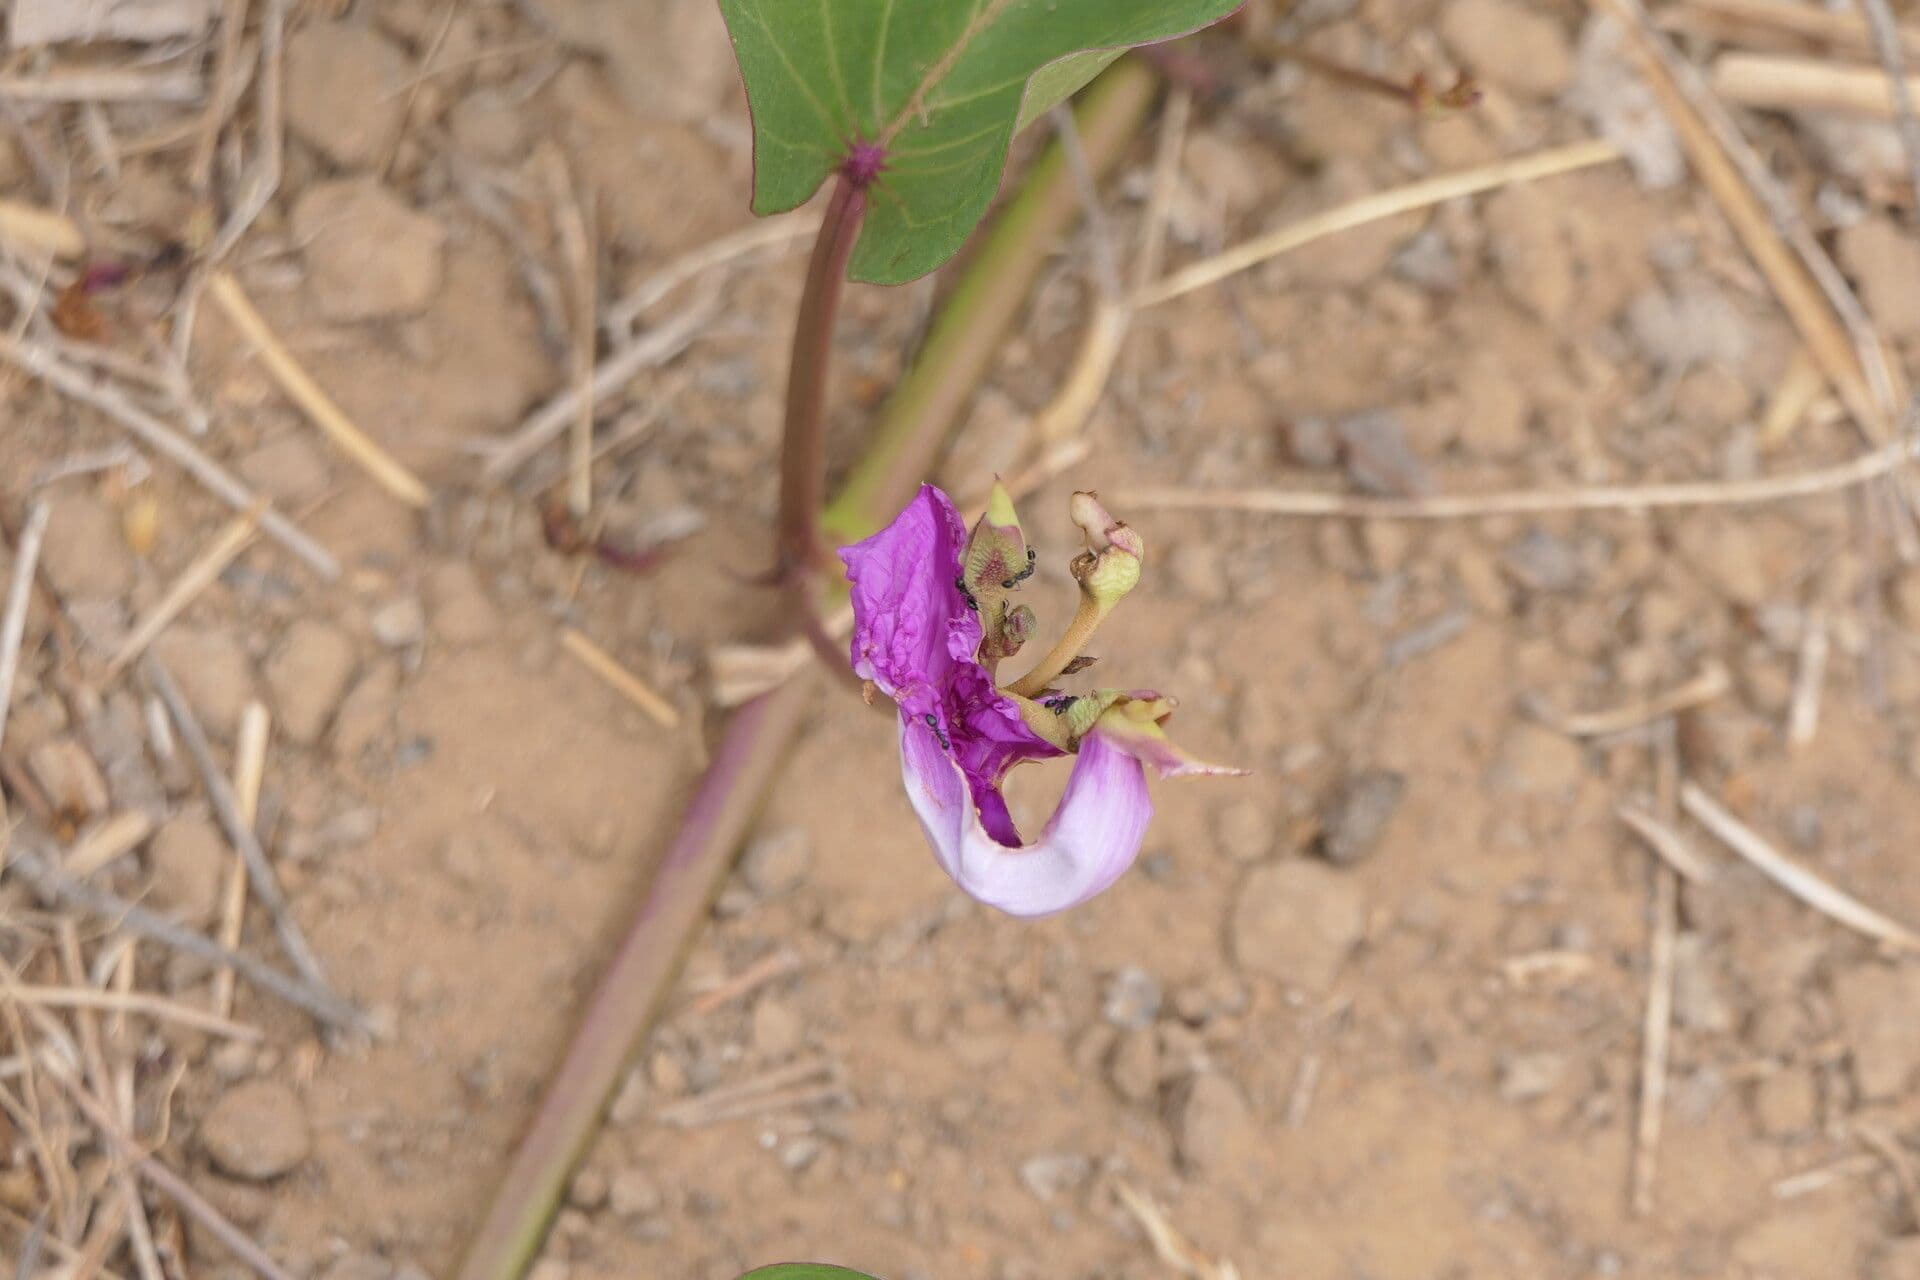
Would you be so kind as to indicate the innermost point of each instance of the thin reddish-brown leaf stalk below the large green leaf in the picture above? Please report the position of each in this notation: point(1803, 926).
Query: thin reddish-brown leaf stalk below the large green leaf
point(804, 452)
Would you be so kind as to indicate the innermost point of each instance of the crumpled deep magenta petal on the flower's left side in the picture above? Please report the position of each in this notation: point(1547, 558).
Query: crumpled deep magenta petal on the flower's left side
point(911, 623)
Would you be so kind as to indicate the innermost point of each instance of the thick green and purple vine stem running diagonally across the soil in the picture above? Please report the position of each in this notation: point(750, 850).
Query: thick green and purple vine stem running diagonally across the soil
point(756, 744)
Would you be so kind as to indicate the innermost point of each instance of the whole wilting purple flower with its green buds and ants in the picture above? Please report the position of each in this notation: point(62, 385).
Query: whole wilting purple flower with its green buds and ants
point(932, 621)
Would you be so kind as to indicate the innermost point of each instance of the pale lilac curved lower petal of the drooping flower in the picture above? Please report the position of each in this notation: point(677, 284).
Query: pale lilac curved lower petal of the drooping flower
point(1092, 840)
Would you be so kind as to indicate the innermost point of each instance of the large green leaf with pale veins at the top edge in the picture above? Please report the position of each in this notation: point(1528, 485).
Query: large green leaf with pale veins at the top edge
point(938, 83)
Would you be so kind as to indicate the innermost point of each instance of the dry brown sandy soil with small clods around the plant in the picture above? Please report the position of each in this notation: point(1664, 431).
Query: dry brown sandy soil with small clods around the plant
point(1372, 1014)
